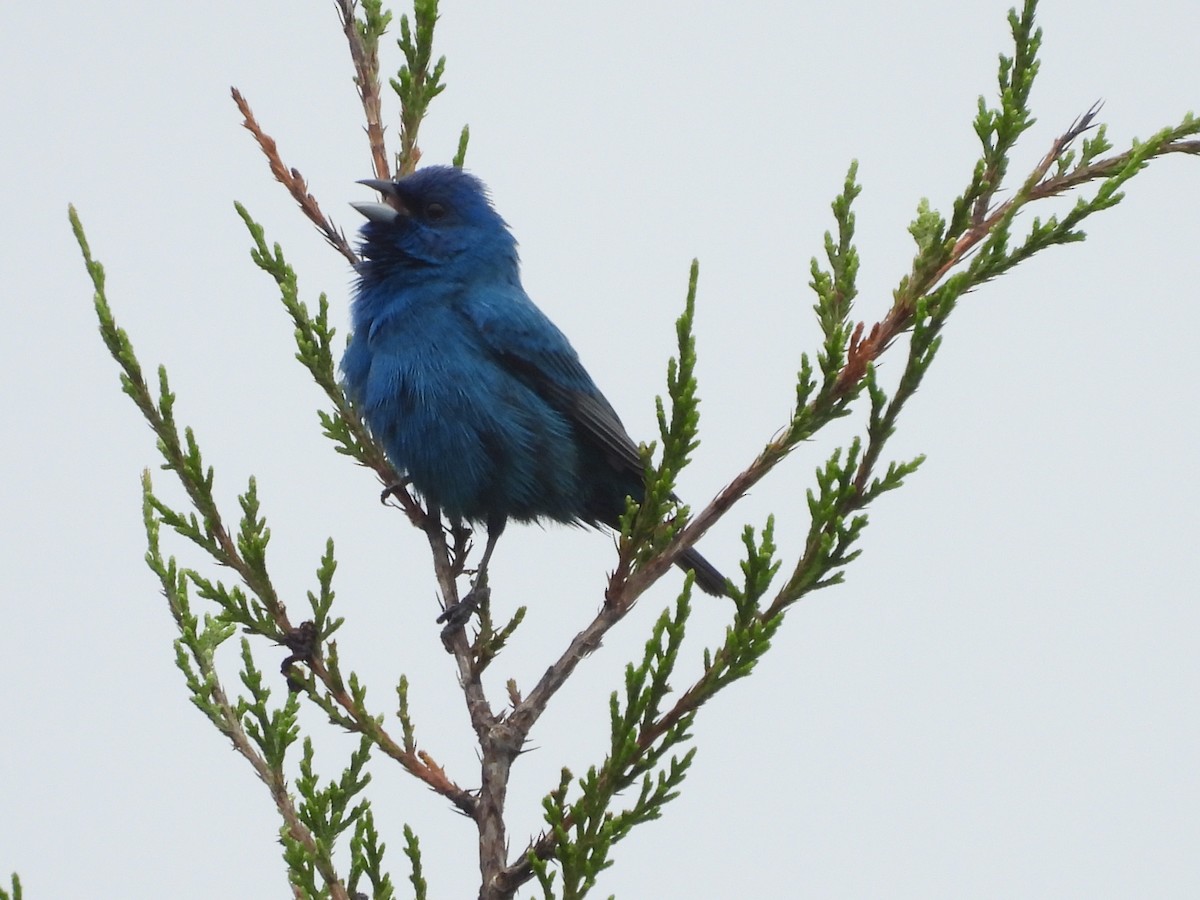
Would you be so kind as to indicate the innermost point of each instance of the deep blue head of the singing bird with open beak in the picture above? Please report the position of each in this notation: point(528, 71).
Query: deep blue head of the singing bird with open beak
point(437, 218)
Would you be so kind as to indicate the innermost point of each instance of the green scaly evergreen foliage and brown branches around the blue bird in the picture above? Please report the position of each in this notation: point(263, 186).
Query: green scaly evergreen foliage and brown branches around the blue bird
point(650, 752)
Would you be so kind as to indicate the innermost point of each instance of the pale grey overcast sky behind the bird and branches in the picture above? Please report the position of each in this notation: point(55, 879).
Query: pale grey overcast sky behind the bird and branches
point(1001, 701)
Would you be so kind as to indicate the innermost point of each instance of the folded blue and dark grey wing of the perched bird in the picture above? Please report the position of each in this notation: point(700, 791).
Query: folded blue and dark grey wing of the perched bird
point(531, 347)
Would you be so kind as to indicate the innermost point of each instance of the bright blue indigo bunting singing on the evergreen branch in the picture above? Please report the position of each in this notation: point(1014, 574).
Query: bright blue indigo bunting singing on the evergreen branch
point(472, 391)
